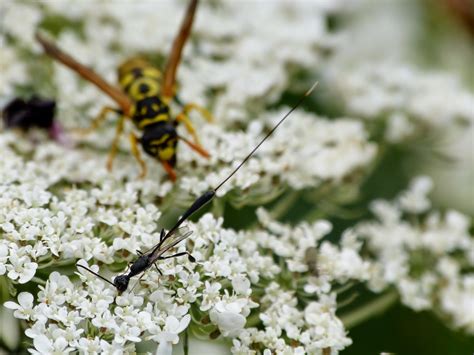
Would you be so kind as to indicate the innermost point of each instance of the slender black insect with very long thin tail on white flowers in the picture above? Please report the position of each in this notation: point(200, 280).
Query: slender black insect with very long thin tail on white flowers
point(176, 234)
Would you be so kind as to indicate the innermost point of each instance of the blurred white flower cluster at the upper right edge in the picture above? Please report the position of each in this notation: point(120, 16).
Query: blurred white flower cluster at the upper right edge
point(410, 99)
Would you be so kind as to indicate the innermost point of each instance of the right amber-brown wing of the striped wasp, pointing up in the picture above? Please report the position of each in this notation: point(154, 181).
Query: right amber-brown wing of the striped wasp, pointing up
point(174, 58)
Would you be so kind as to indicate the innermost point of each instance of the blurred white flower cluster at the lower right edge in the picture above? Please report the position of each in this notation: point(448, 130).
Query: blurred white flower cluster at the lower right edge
point(426, 255)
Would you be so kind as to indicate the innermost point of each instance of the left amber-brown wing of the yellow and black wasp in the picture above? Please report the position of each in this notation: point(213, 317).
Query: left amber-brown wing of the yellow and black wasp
point(116, 94)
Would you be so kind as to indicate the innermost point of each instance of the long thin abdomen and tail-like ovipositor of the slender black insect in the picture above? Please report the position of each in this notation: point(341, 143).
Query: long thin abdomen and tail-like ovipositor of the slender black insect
point(209, 195)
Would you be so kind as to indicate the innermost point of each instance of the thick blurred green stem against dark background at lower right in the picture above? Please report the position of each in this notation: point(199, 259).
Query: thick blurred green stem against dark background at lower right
point(369, 310)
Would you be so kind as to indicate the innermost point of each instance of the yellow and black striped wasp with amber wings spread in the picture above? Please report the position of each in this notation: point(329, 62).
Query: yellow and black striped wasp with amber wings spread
point(144, 96)
